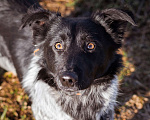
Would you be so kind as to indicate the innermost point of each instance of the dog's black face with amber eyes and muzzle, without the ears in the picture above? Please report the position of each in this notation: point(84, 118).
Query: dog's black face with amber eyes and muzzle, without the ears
point(77, 52)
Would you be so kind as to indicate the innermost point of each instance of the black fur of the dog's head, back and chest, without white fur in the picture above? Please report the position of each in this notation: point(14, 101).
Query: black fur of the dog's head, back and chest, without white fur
point(86, 67)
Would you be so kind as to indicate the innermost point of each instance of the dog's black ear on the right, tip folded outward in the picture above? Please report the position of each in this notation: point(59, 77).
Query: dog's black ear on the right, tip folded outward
point(114, 21)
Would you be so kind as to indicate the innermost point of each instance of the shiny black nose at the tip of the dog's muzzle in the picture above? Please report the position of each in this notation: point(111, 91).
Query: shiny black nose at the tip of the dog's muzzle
point(68, 79)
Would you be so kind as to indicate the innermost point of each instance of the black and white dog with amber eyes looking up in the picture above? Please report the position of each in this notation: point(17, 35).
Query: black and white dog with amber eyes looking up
point(72, 75)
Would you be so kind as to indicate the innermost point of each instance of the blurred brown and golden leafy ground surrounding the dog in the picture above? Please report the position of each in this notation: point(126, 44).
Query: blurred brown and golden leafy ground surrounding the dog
point(134, 78)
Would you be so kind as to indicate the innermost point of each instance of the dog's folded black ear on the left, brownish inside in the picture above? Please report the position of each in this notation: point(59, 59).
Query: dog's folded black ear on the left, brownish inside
point(40, 22)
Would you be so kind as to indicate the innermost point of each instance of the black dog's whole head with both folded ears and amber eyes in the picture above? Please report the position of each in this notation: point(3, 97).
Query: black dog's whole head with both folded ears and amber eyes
point(76, 52)
